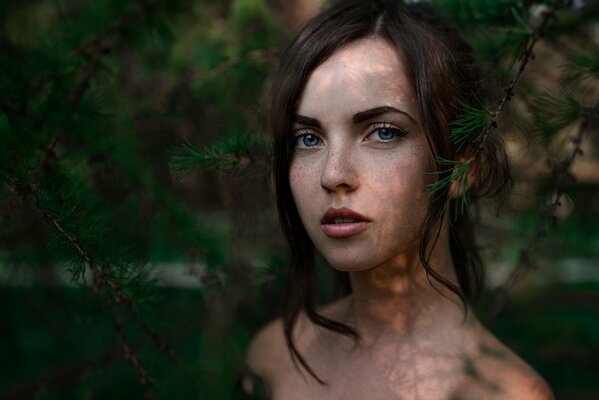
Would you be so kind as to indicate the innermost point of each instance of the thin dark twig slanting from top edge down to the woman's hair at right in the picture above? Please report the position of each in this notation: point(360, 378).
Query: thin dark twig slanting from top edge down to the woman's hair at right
point(525, 57)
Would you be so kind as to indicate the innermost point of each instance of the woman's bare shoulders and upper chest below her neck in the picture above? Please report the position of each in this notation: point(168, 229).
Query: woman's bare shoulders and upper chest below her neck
point(465, 363)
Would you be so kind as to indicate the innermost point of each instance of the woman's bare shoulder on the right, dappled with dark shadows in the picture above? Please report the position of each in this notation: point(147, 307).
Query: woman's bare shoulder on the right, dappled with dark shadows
point(501, 373)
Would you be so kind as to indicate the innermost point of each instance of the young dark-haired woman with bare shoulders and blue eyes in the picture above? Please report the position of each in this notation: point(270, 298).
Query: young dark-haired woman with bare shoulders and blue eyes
point(362, 106)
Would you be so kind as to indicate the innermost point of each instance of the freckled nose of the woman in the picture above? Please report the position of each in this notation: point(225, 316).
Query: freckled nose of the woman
point(339, 172)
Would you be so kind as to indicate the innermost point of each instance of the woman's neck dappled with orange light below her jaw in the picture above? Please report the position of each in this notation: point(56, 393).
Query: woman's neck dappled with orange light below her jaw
point(396, 297)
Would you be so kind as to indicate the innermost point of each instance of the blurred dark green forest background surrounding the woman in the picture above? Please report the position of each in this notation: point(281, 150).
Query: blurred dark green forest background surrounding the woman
point(139, 245)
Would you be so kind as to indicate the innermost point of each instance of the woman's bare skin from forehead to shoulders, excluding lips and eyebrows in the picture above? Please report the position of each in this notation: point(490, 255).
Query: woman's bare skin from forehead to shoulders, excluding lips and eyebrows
point(416, 342)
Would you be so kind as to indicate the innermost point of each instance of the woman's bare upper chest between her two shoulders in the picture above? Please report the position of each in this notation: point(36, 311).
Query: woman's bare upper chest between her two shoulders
point(395, 373)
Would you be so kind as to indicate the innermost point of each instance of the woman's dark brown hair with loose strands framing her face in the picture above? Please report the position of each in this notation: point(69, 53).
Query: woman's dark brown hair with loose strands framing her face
point(445, 77)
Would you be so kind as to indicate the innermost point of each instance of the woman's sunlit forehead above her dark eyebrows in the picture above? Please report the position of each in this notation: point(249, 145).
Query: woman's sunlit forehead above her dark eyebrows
point(363, 74)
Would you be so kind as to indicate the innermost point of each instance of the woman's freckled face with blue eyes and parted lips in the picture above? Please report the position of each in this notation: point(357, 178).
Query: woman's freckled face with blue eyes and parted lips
point(360, 148)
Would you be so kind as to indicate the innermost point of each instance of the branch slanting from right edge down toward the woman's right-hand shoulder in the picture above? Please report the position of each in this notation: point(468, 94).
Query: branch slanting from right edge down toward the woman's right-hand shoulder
point(563, 178)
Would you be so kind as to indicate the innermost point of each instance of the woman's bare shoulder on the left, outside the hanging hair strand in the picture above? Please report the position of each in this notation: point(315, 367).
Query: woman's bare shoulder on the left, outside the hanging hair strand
point(268, 352)
